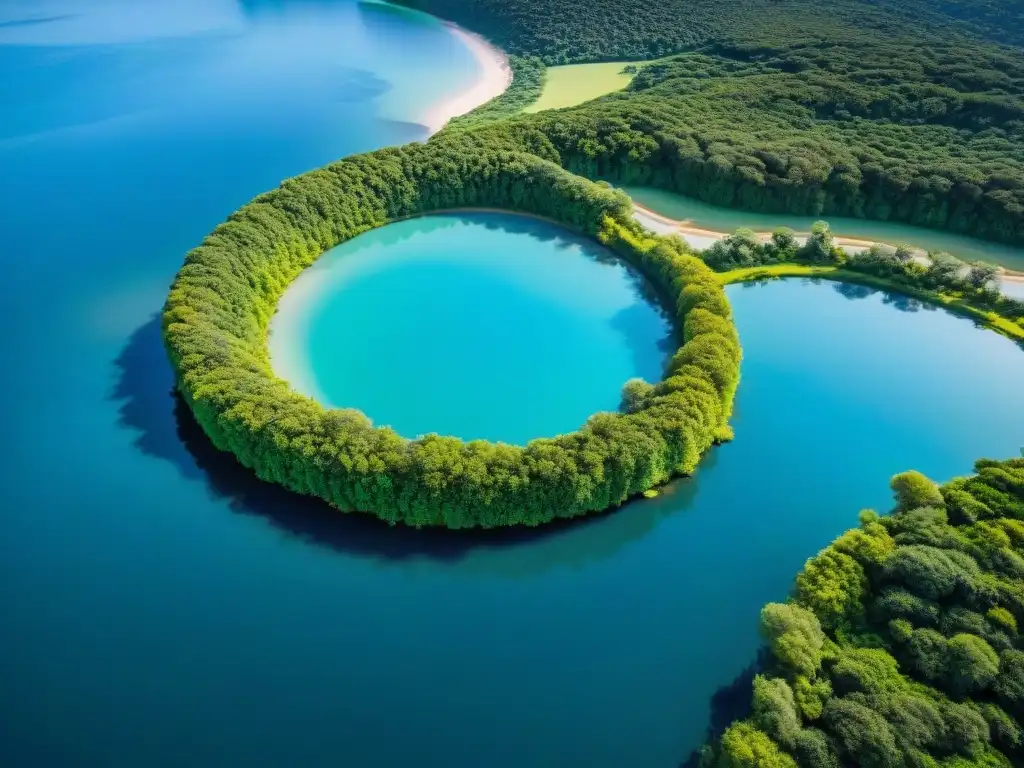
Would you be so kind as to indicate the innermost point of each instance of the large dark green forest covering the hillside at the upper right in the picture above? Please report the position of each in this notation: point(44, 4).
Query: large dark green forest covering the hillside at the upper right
point(883, 112)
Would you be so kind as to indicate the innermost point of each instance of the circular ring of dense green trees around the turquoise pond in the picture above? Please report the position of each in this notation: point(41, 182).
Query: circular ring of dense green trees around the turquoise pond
point(217, 318)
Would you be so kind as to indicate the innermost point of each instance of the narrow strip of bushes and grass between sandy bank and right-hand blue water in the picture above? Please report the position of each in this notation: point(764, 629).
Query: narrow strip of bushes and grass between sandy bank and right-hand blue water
point(969, 289)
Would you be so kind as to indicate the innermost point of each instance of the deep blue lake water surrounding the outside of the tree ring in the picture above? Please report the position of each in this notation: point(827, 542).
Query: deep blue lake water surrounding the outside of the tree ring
point(162, 610)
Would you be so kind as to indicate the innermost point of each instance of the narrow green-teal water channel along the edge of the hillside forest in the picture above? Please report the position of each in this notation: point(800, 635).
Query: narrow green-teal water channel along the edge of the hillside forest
point(729, 221)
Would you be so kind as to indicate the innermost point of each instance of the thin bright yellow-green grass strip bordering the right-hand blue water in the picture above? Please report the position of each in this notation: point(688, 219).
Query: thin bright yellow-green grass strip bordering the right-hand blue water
point(952, 303)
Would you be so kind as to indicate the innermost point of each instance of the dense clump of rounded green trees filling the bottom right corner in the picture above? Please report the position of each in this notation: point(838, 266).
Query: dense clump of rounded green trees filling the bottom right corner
point(901, 645)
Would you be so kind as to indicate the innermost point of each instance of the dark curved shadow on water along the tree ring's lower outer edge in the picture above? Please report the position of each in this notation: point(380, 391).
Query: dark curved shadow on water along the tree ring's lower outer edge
point(166, 430)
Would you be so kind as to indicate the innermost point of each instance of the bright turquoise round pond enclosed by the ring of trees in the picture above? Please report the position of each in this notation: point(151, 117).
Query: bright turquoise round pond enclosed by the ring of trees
point(480, 325)
